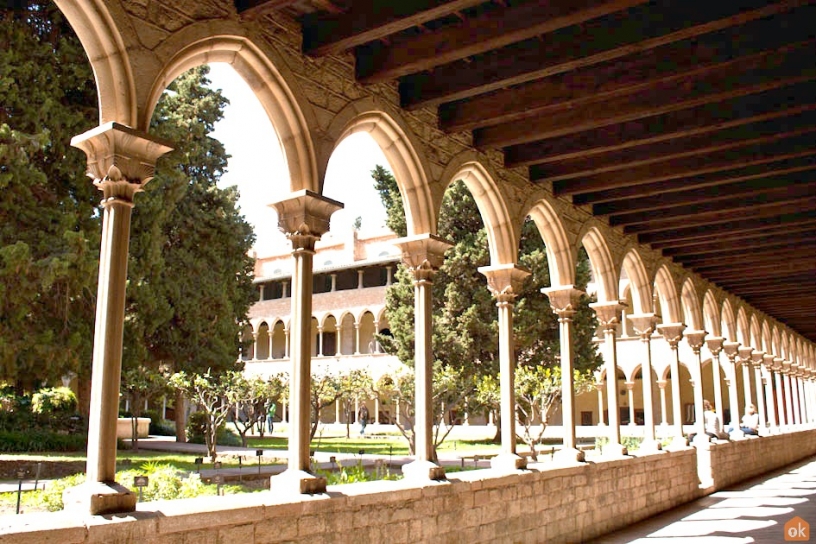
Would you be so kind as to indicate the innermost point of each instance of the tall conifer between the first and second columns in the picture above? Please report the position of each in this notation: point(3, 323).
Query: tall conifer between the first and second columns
point(190, 285)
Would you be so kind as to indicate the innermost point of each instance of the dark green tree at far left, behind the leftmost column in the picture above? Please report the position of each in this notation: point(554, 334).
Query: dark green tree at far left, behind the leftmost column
point(49, 221)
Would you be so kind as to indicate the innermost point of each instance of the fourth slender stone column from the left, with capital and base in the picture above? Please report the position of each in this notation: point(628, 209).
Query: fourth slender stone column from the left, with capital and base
point(504, 283)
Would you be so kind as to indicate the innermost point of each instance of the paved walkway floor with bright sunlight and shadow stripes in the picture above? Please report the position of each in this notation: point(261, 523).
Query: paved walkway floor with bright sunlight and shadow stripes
point(755, 511)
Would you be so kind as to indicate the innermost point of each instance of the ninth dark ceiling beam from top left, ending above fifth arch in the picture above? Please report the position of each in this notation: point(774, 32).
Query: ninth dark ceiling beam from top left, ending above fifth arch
point(680, 169)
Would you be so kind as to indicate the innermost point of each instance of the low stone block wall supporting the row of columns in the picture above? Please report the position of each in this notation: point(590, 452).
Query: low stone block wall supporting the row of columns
point(546, 503)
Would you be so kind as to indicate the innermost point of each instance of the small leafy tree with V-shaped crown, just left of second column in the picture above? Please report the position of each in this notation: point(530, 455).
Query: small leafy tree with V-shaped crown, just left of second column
point(215, 394)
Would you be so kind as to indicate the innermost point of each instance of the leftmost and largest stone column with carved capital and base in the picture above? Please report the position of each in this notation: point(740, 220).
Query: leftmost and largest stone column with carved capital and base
point(120, 161)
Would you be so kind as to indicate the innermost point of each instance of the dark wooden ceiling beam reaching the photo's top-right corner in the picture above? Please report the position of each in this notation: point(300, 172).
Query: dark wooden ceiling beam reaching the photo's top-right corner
point(537, 59)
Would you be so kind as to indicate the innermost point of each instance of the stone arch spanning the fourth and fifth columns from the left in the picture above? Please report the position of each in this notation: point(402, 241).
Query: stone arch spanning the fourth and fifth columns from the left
point(561, 257)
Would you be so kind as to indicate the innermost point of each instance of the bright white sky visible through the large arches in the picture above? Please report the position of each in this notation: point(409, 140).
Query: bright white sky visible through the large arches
point(258, 168)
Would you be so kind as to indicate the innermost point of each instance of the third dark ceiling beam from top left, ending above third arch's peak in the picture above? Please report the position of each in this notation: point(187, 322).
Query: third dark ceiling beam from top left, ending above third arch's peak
point(490, 30)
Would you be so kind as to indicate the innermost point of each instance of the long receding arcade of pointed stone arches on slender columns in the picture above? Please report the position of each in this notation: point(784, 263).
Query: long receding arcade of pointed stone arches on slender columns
point(311, 117)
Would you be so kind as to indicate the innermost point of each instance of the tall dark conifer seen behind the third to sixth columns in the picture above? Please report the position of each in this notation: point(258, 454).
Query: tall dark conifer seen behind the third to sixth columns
point(465, 329)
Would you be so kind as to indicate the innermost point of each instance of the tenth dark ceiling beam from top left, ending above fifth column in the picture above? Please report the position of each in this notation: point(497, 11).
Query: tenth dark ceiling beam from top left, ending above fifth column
point(778, 169)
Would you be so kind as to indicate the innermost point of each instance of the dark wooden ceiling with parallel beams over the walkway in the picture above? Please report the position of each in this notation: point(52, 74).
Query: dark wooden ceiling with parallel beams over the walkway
point(689, 124)
